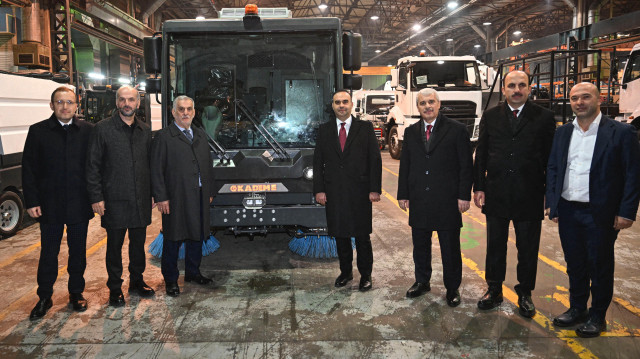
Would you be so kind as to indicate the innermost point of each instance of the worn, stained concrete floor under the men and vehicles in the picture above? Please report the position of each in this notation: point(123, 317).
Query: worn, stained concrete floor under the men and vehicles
point(267, 302)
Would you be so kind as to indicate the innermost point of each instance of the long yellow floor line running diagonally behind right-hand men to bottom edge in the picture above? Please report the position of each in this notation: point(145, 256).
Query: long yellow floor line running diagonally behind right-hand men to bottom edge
point(565, 335)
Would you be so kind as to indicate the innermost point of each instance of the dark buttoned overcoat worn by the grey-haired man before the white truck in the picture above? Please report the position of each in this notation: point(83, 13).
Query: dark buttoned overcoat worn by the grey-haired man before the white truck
point(435, 174)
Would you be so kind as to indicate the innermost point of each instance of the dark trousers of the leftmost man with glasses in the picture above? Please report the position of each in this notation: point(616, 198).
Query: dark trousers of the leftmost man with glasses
point(50, 240)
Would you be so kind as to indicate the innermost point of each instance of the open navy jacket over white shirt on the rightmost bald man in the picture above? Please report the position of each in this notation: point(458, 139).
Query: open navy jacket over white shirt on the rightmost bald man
point(614, 177)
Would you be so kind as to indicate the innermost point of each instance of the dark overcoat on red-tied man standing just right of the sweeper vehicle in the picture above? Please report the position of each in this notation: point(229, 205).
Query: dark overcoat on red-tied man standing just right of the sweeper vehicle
point(347, 177)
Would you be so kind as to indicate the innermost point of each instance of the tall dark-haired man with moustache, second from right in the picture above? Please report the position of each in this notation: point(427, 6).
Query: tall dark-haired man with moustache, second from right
point(509, 181)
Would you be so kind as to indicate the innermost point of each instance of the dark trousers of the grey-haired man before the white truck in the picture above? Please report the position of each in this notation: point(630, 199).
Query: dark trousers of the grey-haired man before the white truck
point(449, 251)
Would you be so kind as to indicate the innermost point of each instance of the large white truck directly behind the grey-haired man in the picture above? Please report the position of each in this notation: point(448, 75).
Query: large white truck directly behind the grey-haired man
point(459, 86)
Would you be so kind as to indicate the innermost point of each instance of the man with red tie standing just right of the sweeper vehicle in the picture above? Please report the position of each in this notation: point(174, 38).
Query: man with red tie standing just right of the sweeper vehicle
point(347, 178)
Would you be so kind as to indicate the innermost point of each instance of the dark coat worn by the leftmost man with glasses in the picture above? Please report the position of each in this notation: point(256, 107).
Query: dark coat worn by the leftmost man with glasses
point(53, 175)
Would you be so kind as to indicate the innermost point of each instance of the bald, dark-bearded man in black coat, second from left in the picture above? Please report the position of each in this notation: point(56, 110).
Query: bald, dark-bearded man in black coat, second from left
point(120, 191)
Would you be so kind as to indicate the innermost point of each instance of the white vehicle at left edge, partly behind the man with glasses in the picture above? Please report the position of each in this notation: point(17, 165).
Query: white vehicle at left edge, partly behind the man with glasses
point(23, 102)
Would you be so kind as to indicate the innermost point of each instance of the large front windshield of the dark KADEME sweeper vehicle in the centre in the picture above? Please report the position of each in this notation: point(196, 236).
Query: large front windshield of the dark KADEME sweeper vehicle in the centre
point(284, 79)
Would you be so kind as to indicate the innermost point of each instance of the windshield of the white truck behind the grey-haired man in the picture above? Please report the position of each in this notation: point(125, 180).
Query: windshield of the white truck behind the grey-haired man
point(446, 75)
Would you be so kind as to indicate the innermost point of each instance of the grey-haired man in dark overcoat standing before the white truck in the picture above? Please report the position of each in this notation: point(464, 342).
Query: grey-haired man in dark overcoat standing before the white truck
point(435, 178)
